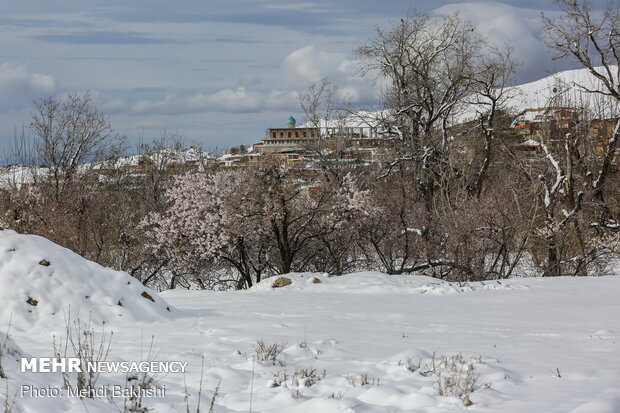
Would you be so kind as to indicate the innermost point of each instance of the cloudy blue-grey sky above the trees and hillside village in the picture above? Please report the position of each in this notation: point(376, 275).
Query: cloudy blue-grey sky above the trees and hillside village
point(217, 72)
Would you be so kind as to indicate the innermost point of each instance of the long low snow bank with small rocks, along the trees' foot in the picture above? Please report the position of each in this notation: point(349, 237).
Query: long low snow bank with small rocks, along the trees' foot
point(372, 282)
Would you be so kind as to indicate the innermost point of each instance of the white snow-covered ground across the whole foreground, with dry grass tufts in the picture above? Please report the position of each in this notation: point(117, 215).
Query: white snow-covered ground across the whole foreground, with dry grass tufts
point(363, 342)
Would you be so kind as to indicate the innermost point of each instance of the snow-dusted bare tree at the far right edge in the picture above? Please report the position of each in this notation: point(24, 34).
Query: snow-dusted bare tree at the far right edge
point(582, 176)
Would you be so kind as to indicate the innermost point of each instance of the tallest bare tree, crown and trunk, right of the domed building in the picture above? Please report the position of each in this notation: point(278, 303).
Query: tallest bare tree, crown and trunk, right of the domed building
point(429, 65)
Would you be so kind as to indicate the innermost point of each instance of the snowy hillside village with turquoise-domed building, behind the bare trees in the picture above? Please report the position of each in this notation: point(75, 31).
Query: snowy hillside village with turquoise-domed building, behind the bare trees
point(358, 140)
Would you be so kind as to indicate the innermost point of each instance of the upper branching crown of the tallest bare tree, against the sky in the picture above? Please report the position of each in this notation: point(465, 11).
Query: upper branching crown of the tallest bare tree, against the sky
point(427, 64)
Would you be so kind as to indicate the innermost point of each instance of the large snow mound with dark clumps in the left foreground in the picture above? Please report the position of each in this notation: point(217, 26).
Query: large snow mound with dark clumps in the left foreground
point(41, 282)
